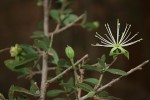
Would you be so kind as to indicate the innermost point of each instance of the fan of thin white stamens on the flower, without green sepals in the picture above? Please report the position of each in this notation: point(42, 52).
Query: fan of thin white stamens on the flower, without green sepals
point(120, 41)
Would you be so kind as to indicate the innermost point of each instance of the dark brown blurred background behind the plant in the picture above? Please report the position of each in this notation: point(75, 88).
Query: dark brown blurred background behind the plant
point(20, 18)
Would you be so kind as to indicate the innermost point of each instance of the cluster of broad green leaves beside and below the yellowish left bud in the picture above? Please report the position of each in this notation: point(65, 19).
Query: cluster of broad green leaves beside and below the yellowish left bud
point(20, 62)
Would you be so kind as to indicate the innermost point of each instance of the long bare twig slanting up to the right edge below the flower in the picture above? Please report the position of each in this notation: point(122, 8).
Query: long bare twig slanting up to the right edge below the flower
point(139, 67)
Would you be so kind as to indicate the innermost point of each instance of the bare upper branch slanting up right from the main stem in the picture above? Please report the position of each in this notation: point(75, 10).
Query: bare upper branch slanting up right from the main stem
point(68, 26)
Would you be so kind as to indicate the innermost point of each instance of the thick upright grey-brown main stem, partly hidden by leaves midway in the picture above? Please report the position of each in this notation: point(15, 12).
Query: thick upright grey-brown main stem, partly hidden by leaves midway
point(44, 55)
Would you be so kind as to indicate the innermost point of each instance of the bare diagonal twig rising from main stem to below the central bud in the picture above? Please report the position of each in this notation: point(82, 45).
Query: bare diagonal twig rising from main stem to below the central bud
point(65, 71)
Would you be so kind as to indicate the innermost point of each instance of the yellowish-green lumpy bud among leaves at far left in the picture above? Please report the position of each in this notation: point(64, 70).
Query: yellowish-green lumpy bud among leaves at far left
point(15, 50)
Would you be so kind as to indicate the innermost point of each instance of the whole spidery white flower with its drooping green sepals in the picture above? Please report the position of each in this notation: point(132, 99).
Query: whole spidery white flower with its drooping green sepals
point(117, 44)
